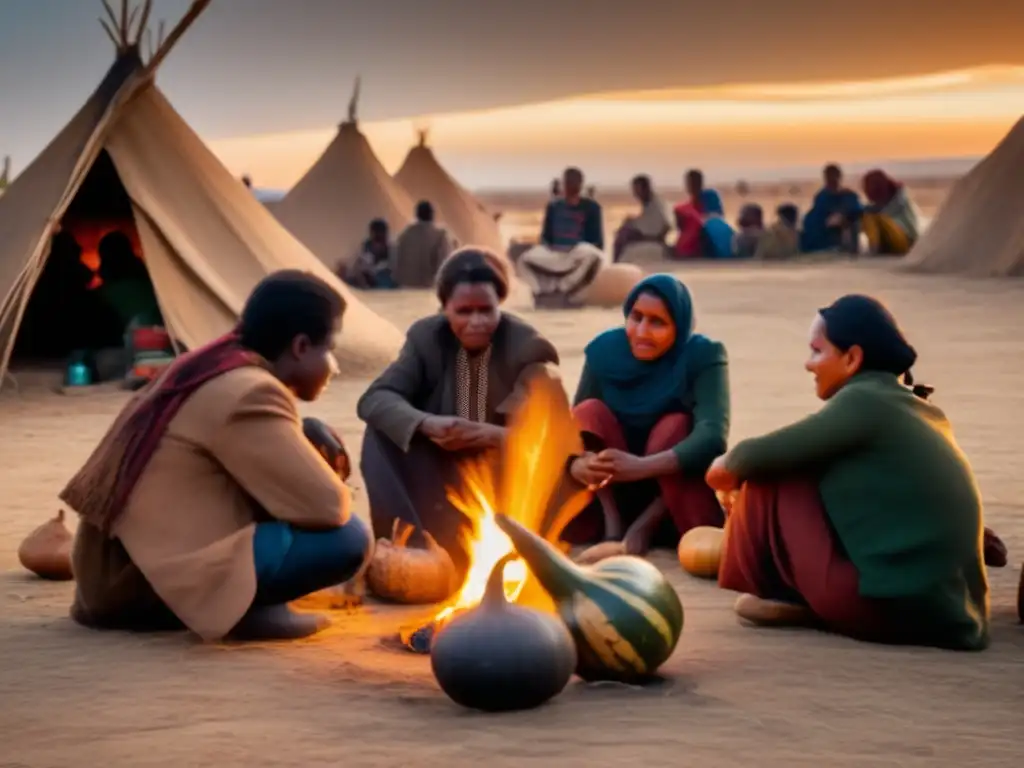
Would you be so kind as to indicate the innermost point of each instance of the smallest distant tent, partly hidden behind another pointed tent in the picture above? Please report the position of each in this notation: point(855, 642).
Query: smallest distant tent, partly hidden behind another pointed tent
point(457, 209)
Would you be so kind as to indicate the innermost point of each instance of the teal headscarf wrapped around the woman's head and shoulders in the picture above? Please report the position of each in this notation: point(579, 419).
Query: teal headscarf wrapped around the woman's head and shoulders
point(641, 393)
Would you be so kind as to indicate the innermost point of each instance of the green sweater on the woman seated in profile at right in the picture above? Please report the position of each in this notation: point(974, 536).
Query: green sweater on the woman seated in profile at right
point(901, 495)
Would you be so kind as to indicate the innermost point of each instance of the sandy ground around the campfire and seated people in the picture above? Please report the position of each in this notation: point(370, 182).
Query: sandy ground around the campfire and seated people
point(734, 696)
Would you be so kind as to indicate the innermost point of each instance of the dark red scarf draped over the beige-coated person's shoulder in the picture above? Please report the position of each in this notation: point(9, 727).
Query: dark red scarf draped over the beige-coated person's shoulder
point(102, 489)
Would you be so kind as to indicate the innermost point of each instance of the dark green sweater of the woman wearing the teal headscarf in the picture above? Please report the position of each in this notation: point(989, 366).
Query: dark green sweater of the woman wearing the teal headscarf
point(705, 397)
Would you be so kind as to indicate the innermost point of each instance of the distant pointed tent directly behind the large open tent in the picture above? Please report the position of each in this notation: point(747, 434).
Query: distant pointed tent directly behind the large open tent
point(331, 207)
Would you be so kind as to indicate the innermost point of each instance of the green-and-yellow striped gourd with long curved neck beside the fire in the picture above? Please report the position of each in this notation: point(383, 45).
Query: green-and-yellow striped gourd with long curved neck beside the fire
point(624, 616)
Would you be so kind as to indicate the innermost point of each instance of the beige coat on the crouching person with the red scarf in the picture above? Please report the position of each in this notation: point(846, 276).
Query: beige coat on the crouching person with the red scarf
point(235, 454)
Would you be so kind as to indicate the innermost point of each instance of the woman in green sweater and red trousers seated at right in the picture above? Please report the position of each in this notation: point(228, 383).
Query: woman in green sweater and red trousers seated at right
point(866, 518)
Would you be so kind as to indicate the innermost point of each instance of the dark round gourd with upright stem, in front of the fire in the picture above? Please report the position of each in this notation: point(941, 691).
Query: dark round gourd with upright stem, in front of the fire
point(499, 657)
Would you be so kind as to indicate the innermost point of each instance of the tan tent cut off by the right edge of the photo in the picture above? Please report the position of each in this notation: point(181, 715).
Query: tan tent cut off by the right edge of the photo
point(980, 228)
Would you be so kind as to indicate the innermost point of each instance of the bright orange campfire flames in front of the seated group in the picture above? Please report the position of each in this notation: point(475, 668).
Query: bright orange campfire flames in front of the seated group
point(542, 436)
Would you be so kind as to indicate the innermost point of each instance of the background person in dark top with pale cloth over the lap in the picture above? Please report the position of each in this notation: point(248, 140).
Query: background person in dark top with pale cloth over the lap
point(570, 252)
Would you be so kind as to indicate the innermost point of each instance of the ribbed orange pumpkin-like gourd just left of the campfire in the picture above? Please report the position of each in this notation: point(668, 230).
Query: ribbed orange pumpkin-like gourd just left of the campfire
point(406, 575)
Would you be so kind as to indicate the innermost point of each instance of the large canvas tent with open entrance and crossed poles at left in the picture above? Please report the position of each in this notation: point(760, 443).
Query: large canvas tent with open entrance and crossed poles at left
point(205, 239)
